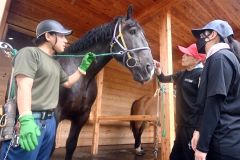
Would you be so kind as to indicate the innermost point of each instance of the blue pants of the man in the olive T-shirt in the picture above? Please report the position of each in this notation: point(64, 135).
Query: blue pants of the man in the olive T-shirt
point(42, 151)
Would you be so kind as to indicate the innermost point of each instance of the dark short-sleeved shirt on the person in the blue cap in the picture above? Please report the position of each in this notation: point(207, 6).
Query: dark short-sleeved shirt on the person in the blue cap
point(221, 76)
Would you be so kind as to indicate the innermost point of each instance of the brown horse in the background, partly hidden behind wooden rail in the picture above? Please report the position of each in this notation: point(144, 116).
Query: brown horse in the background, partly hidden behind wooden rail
point(145, 105)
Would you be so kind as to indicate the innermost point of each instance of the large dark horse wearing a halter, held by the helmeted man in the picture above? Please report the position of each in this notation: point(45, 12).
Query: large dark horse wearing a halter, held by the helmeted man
point(125, 40)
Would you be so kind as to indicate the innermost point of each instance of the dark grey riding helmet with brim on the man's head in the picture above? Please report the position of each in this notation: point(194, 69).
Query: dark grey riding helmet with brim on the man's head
point(51, 26)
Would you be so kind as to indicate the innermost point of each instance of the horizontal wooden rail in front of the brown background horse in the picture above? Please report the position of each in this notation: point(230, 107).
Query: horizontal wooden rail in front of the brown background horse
point(128, 118)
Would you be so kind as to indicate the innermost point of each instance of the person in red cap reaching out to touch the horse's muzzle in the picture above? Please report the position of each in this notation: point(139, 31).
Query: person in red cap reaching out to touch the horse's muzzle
point(187, 82)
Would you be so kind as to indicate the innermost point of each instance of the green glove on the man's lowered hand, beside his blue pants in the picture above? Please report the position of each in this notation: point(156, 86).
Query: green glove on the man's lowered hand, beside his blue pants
point(29, 132)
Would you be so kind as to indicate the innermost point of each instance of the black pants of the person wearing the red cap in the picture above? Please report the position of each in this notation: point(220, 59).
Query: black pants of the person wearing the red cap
point(181, 149)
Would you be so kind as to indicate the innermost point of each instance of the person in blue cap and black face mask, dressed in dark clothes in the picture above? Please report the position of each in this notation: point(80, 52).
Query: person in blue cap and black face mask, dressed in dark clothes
point(219, 93)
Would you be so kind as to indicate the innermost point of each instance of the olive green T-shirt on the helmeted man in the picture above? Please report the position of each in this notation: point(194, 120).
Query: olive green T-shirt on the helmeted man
point(47, 75)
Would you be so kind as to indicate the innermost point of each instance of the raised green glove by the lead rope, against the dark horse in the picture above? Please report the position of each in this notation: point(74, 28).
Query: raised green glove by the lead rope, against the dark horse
point(86, 62)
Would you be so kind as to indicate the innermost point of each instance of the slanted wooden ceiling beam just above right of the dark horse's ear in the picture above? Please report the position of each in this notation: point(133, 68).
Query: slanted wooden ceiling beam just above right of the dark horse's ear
point(155, 9)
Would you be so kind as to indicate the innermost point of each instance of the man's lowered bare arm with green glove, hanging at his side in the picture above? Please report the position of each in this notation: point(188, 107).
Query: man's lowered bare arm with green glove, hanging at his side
point(27, 123)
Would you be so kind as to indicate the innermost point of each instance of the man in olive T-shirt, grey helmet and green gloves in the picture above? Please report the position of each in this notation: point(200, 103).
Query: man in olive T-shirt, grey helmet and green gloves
point(38, 76)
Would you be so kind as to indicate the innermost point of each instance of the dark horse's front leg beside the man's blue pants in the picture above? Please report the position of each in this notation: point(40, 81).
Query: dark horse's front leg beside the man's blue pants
point(75, 129)
